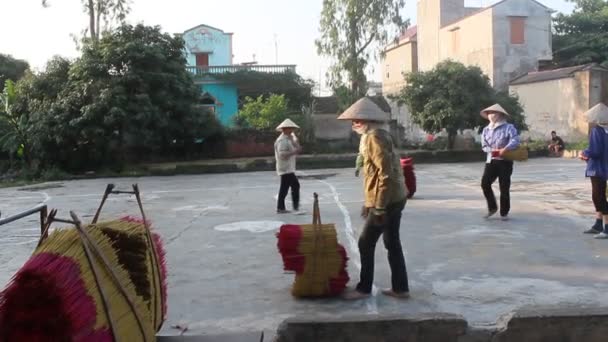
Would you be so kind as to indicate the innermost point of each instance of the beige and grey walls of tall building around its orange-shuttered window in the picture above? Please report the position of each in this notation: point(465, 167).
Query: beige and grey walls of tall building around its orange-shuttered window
point(484, 37)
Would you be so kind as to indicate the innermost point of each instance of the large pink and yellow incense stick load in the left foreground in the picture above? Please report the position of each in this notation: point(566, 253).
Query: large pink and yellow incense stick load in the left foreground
point(97, 282)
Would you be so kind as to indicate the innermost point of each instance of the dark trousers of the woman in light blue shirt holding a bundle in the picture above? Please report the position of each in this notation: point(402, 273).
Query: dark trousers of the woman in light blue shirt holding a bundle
point(501, 169)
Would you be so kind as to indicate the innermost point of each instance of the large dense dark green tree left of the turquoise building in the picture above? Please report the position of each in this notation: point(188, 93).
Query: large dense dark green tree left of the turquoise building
point(128, 96)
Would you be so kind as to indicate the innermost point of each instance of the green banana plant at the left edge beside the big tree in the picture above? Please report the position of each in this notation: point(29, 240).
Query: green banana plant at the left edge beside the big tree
point(13, 126)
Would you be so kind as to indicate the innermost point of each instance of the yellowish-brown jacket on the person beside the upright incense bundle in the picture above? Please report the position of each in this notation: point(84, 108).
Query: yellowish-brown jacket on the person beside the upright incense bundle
point(383, 177)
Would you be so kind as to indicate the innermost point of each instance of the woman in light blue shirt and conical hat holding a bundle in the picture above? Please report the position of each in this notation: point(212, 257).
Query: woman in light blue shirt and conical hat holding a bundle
point(498, 137)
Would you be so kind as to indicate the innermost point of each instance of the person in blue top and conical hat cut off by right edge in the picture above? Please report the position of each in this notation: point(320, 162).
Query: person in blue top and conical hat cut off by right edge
point(596, 156)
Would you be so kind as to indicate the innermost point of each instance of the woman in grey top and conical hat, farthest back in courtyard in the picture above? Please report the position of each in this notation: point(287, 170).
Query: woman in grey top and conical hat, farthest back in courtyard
point(286, 148)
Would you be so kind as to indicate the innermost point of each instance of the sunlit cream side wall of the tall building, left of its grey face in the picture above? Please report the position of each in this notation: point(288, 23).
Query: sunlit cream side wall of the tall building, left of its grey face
point(470, 41)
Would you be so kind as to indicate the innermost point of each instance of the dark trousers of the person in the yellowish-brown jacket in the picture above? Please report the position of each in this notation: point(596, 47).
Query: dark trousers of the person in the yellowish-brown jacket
point(367, 247)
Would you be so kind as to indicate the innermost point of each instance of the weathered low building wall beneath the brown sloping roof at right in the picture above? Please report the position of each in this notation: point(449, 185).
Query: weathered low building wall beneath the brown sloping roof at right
point(556, 105)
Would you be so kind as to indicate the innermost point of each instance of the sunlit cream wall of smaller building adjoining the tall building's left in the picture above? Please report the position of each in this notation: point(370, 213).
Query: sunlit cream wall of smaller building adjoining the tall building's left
point(398, 61)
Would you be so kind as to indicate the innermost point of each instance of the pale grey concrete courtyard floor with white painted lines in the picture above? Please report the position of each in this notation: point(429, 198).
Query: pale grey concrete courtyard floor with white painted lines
point(225, 274)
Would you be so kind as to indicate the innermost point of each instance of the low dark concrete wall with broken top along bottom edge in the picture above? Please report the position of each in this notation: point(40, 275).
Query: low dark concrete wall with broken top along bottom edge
point(525, 325)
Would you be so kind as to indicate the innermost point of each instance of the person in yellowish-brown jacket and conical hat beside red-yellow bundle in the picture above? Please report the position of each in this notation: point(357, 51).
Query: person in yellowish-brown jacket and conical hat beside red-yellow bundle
point(385, 197)
